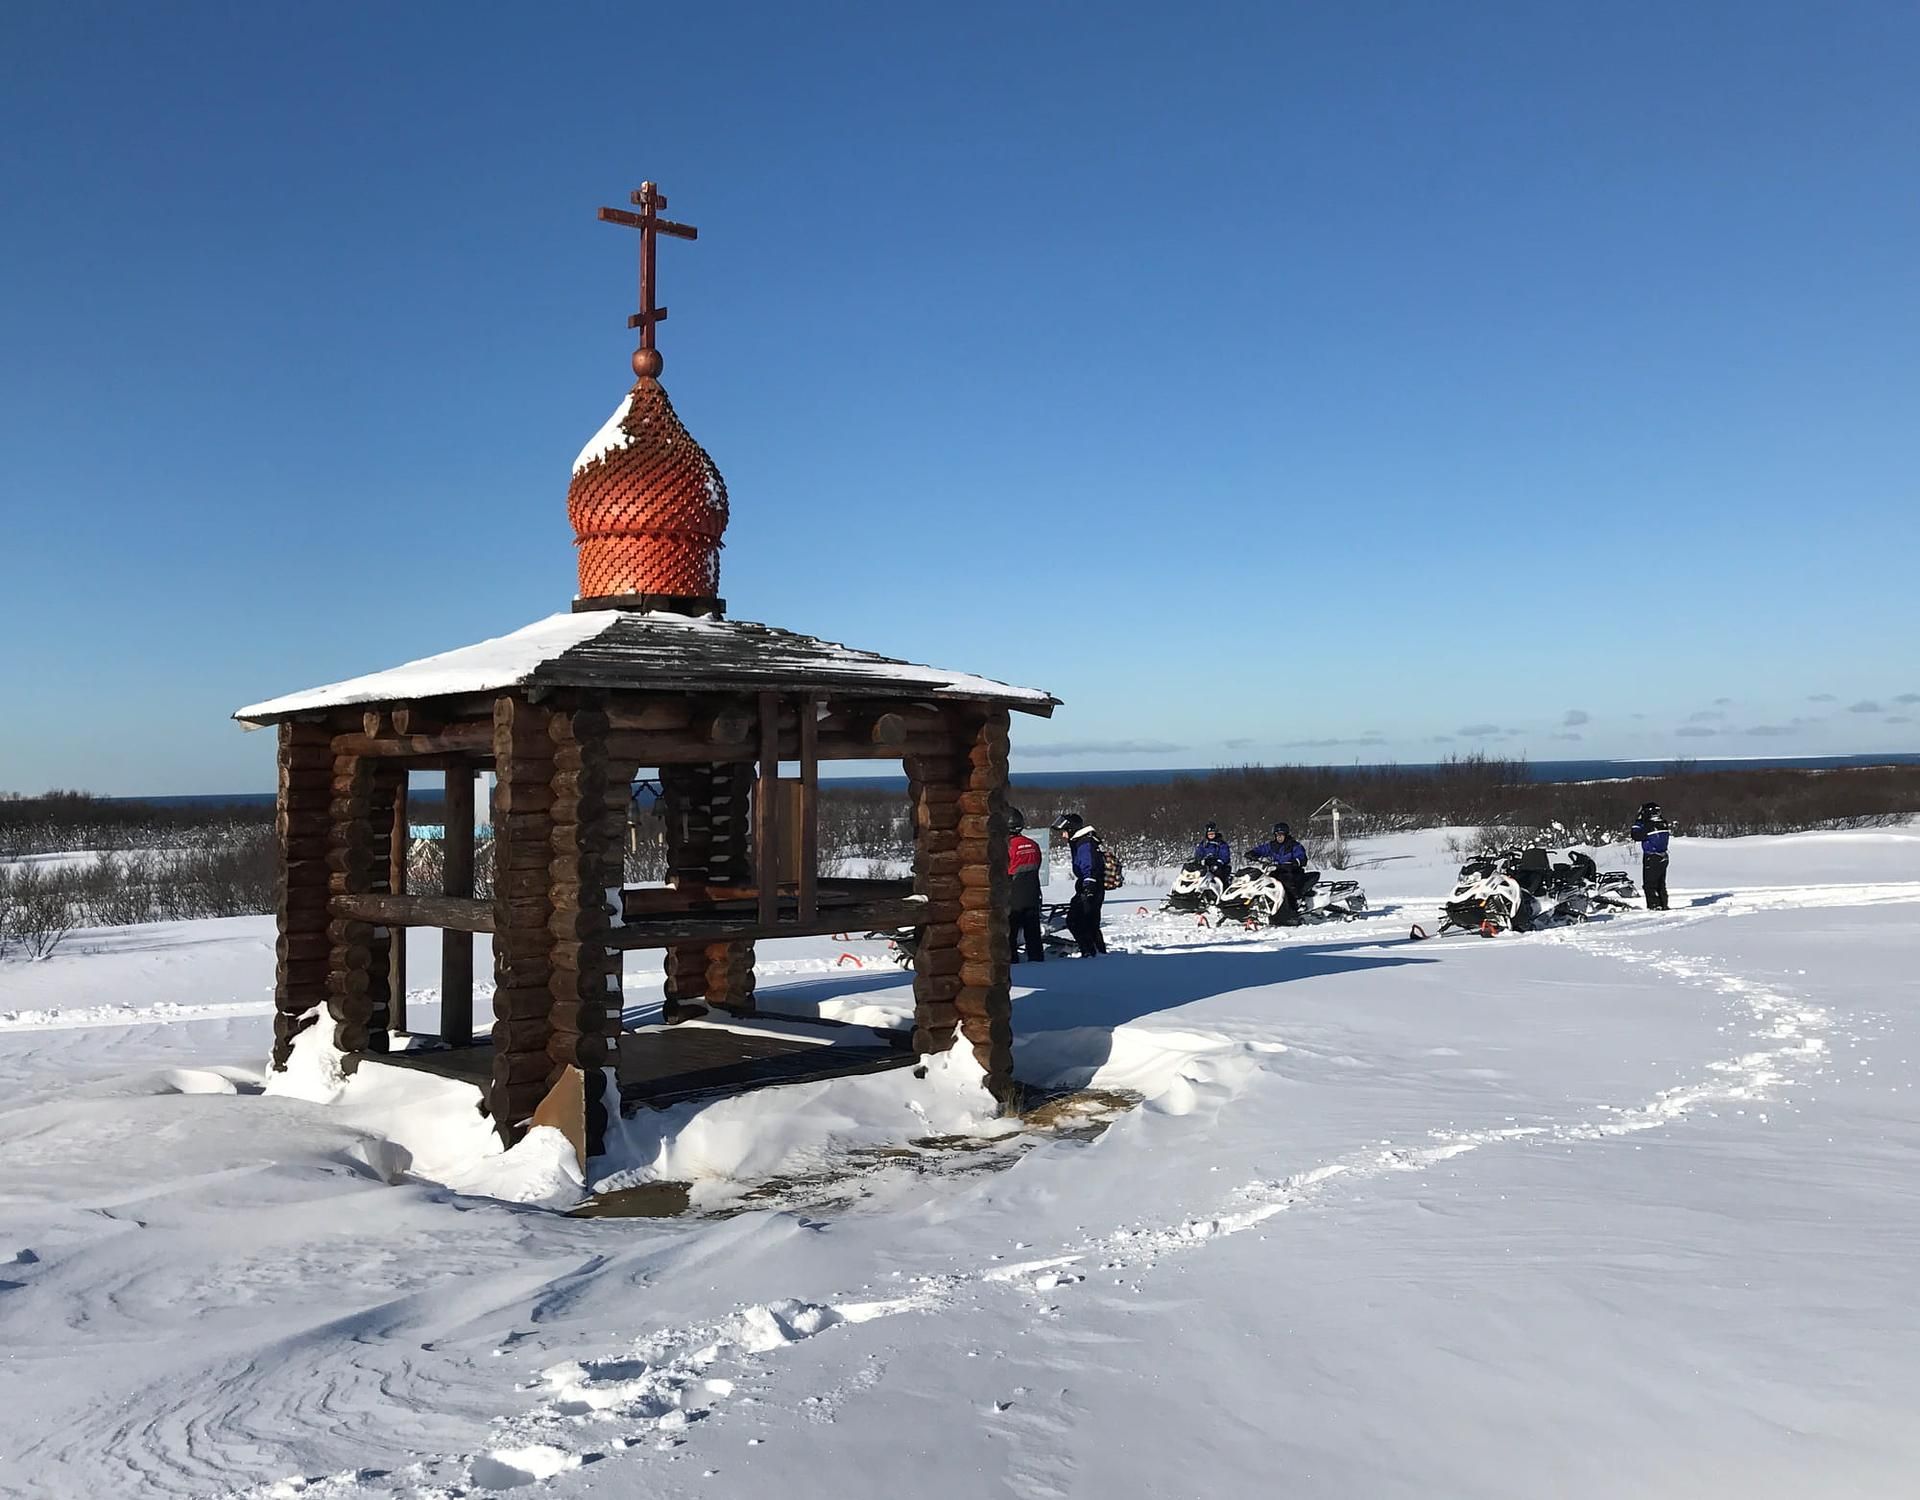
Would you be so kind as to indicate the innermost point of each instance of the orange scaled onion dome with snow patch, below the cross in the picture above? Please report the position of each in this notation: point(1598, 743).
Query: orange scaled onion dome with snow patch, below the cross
point(648, 508)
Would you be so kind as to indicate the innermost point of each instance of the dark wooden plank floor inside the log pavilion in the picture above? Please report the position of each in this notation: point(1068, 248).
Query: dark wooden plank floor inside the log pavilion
point(669, 1065)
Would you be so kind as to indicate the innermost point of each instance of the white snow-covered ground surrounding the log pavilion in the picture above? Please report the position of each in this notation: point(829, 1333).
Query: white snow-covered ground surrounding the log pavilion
point(1625, 1209)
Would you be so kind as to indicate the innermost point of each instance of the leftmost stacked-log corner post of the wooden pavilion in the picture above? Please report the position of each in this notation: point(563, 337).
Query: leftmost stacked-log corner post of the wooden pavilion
point(302, 946)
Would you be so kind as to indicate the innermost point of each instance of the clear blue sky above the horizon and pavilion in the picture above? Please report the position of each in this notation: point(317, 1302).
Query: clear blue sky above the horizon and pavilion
point(1289, 381)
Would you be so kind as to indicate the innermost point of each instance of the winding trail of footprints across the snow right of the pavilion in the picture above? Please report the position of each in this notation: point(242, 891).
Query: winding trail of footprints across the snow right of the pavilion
point(671, 1388)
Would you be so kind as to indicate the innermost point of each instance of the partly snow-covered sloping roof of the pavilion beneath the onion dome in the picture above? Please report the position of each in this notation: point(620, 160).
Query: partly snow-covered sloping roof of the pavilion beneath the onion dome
point(615, 648)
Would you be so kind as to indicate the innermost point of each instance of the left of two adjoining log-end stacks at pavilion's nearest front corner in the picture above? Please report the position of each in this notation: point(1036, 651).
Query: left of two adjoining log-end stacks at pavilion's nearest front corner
point(523, 906)
